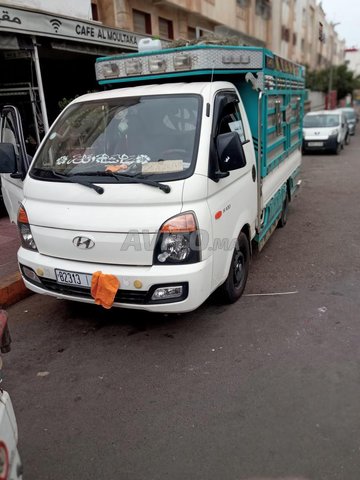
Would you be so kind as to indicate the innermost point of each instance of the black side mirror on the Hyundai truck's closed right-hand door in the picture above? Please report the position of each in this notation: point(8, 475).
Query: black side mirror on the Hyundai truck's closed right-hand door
point(230, 151)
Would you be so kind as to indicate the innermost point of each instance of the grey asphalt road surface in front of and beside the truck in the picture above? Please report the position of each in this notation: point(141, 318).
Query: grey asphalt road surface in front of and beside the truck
point(267, 388)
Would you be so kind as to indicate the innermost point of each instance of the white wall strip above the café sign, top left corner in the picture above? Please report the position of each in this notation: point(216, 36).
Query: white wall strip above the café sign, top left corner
point(70, 8)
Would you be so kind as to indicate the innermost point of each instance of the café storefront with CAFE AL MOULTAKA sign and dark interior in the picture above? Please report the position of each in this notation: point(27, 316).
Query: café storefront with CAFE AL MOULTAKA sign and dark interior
point(47, 60)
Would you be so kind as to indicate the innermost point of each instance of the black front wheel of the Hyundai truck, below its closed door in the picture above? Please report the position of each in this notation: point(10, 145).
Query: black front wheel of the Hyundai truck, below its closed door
point(234, 286)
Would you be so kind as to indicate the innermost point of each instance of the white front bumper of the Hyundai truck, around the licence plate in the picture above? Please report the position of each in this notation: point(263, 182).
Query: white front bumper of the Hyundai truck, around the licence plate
point(195, 277)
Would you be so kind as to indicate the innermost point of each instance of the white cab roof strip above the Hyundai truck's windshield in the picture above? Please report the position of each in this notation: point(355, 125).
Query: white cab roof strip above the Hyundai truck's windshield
point(161, 89)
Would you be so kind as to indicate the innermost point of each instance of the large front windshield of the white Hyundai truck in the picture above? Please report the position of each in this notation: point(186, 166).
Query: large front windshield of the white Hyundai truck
point(138, 137)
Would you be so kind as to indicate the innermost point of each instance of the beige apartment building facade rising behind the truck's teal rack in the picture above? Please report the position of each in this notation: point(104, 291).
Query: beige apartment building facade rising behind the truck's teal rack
point(295, 29)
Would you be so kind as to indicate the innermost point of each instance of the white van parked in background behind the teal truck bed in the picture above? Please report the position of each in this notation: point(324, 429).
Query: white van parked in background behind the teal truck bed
point(324, 130)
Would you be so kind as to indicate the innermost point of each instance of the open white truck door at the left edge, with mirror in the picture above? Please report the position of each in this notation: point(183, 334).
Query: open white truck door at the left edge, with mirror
point(14, 161)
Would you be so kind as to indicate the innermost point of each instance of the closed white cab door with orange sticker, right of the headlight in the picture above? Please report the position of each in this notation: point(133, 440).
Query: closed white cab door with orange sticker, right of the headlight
point(232, 196)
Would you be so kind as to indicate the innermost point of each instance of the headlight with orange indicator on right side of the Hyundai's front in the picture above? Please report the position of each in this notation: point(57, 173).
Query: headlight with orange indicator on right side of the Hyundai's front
point(178, 241)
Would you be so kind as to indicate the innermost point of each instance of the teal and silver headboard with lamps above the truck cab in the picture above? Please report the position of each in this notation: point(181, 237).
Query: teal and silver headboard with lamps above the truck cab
point(195, 61)
